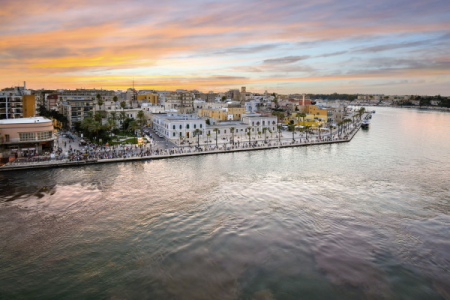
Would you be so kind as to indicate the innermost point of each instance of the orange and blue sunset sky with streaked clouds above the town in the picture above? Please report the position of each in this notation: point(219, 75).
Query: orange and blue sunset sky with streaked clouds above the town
point(287, 46)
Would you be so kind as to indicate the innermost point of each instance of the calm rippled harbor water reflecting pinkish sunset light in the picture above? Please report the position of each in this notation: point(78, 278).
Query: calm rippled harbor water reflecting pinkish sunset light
point(369, 219)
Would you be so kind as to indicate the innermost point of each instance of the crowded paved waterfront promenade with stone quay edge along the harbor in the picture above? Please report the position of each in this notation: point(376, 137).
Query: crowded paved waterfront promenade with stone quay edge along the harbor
point(130, 155)
